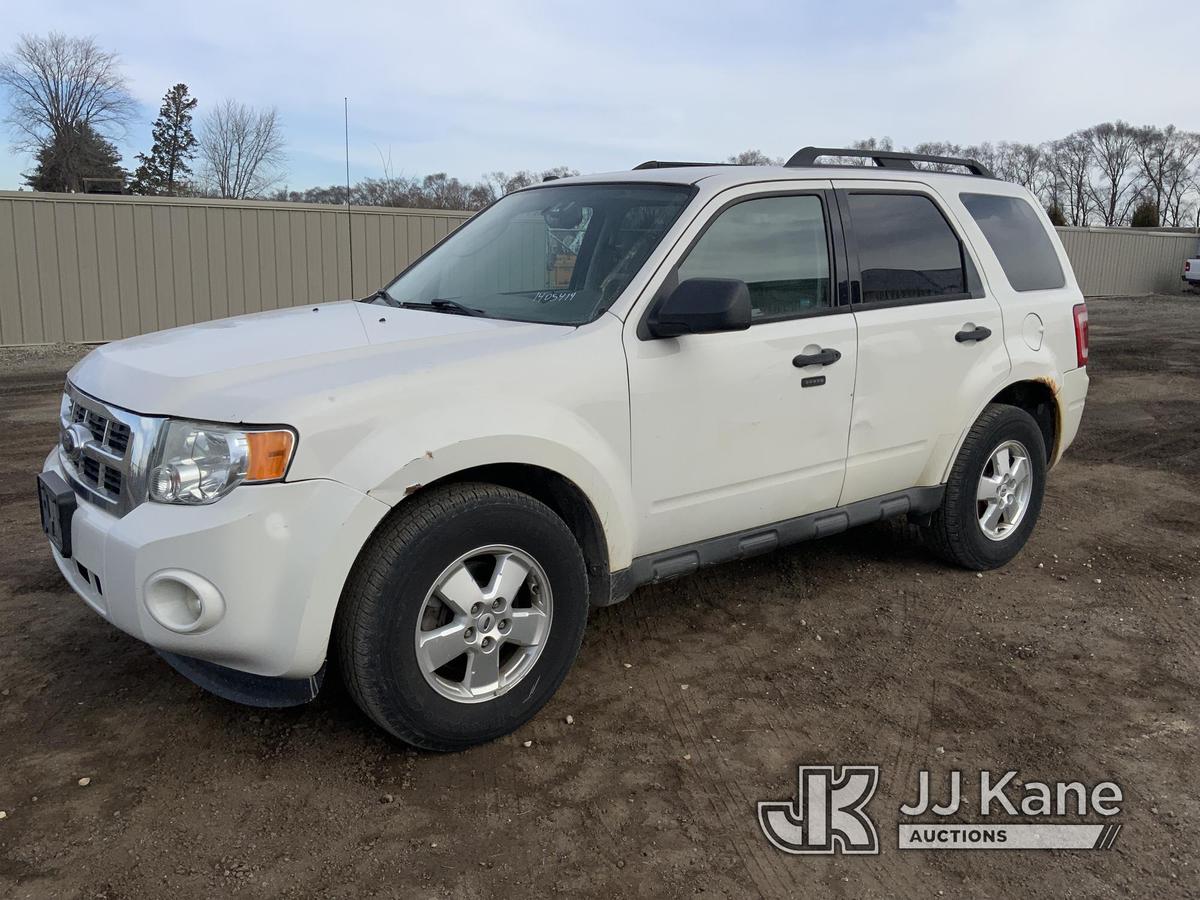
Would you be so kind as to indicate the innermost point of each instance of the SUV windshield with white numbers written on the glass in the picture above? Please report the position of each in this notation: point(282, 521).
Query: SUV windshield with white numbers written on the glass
point(554, 255)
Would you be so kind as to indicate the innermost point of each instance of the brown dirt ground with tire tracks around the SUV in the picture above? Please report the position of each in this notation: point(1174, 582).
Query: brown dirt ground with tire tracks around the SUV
point(692, 701)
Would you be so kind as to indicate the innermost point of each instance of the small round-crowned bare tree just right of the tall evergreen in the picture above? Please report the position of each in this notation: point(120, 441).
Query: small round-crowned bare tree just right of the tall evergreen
point(242, 149)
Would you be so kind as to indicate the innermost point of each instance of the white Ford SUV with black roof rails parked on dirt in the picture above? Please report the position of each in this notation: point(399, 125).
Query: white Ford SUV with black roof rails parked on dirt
point(596, 383)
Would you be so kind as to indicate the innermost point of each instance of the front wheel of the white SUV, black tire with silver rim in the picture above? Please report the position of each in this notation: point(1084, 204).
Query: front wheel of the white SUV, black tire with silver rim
point(392, 590)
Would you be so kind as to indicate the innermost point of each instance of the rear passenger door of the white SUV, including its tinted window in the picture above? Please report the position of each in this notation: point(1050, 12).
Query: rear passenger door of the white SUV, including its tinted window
point(931, 339)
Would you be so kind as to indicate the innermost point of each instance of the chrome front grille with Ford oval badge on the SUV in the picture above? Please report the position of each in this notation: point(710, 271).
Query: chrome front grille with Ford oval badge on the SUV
point(109, 454)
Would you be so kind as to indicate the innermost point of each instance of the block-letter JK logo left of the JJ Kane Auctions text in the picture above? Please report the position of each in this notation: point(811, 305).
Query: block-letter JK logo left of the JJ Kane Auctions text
point(827, 815)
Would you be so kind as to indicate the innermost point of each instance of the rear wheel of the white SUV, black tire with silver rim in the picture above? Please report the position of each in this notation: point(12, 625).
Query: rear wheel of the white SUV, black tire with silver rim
point(956, 531)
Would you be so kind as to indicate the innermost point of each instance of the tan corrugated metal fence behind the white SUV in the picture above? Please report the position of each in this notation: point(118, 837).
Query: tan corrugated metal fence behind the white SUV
point(91, 268)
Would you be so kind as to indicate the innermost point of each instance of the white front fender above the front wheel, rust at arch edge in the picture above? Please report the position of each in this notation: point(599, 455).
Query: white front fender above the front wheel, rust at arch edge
point(565, 409)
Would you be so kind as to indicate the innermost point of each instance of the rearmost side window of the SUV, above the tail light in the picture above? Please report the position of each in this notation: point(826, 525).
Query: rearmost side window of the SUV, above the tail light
point(1019, 241)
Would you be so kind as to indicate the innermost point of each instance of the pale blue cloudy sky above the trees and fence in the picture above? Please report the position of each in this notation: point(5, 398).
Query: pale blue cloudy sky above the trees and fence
point(470, 88)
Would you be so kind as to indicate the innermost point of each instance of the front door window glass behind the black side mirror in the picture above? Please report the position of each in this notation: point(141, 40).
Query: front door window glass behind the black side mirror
point(777, 245)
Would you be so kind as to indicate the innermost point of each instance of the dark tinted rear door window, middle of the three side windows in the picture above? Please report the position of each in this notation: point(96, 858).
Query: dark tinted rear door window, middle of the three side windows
point(907, 249)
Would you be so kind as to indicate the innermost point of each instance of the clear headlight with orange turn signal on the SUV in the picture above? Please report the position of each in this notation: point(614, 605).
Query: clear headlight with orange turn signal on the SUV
point(199, 464)
